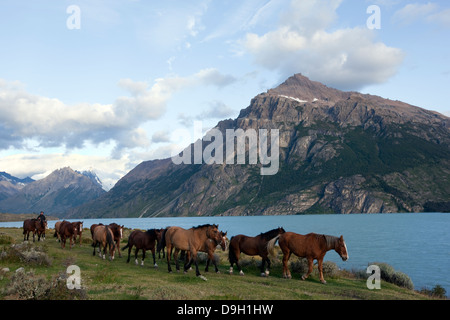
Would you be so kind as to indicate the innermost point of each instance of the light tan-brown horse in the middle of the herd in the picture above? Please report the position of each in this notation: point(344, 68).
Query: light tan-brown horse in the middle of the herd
point(189, 240)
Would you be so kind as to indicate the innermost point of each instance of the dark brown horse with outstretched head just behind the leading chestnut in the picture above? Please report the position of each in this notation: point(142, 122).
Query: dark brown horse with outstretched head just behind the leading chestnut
point(252, 246)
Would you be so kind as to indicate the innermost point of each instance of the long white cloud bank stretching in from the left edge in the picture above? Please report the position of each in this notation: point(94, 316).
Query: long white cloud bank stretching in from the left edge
point(53, 123)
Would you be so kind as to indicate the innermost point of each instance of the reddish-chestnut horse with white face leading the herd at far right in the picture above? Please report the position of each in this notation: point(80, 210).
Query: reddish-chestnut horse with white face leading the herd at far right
point(311, 246)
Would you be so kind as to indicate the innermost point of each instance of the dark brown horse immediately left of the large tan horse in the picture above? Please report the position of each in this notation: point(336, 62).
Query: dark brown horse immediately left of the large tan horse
point(142, 241)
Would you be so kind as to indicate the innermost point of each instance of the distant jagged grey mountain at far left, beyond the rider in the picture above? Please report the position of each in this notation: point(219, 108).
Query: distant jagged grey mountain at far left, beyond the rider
point(55, 194)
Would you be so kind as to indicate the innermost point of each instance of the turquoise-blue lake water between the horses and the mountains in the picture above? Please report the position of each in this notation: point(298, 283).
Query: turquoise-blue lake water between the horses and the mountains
point(417, 244)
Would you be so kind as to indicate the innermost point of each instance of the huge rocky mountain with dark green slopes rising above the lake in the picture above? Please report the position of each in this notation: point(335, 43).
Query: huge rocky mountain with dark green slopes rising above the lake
point(339, 152)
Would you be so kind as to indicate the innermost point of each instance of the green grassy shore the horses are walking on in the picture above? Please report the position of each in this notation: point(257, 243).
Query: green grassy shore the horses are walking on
point(117, 280)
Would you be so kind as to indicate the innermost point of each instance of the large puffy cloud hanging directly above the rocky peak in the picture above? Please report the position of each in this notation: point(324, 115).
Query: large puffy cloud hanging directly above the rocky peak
point(347, 59)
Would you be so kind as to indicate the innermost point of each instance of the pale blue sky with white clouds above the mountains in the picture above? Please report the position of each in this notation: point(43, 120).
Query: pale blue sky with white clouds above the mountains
point(104, 85)
